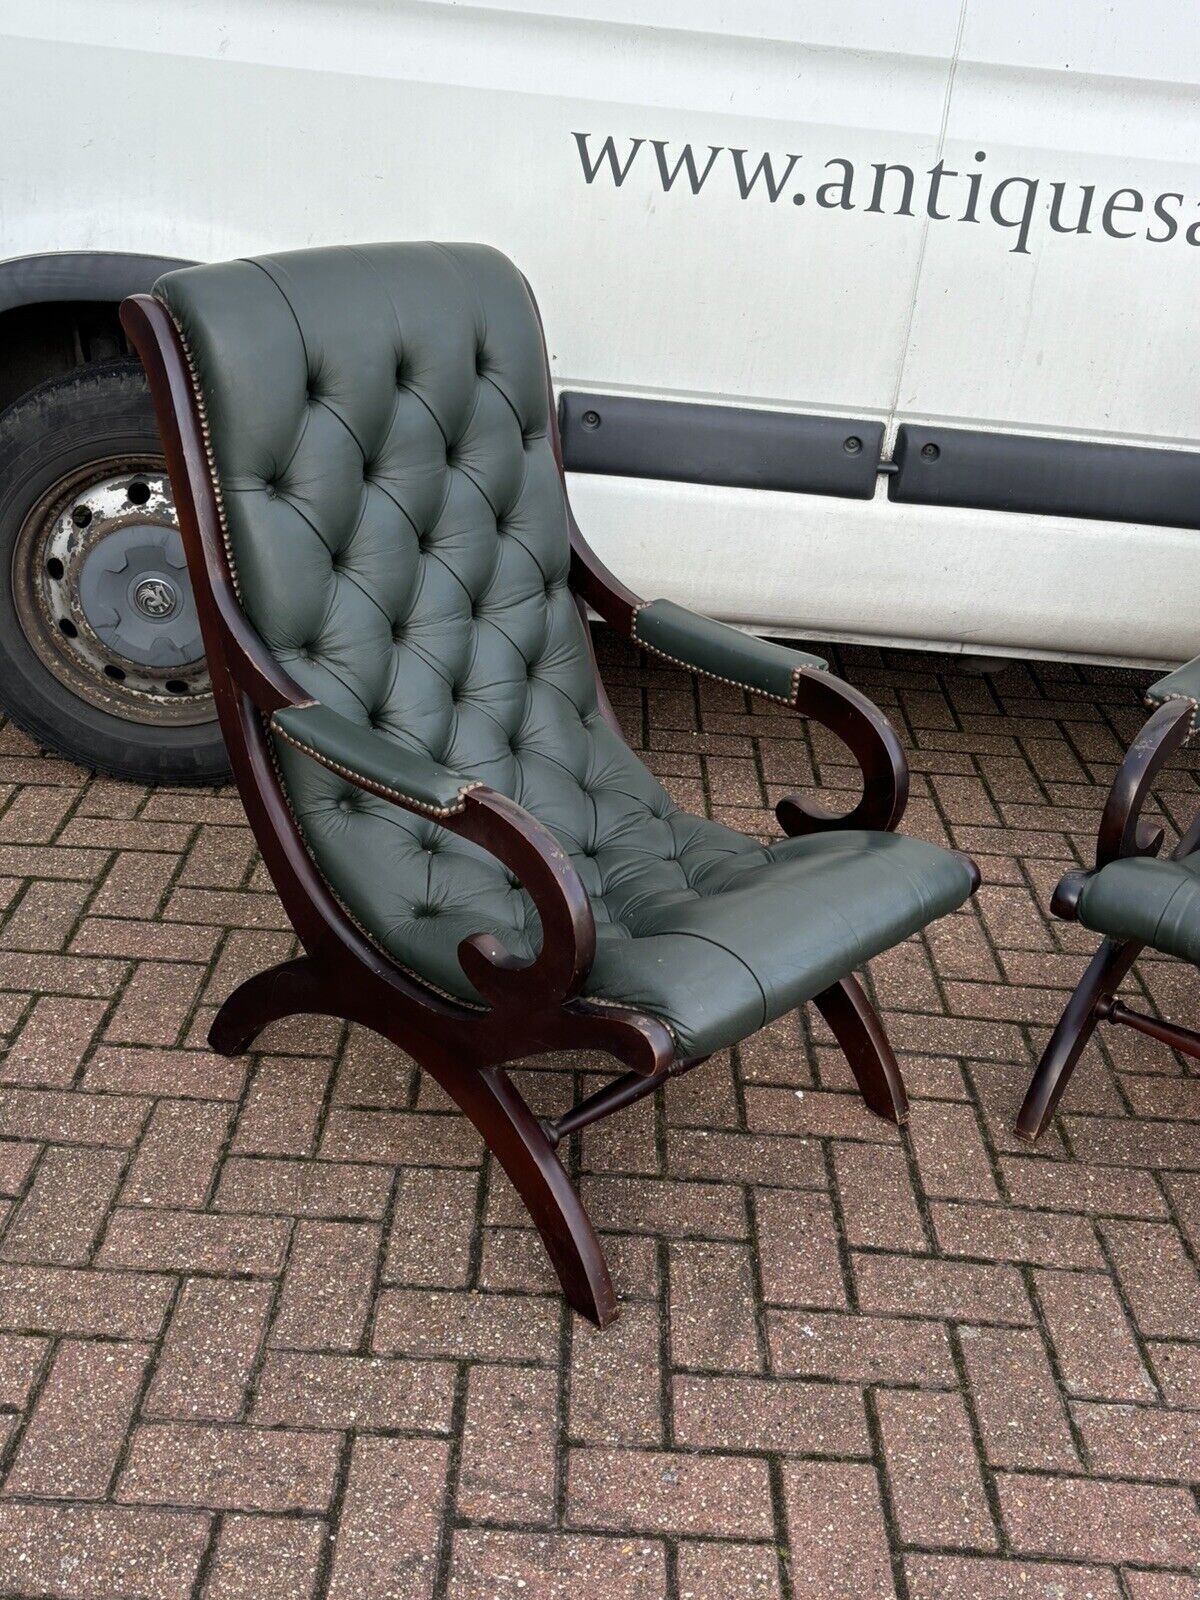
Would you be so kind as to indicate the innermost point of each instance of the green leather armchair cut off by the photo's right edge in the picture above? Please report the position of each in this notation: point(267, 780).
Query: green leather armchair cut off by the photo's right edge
point(1130, 897)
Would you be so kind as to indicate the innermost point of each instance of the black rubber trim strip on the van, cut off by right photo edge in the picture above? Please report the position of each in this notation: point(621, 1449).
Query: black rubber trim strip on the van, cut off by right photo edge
point(1055, 478)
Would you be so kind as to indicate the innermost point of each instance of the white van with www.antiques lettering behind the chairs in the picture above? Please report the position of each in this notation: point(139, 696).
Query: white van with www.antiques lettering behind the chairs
point(871, 322)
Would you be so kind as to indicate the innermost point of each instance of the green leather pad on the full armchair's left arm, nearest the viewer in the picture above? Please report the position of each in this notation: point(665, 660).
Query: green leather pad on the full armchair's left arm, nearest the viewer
point(374, 762)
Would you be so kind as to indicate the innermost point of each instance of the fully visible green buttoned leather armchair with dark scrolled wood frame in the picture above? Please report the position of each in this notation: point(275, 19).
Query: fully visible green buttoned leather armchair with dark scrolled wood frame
point(393, 591)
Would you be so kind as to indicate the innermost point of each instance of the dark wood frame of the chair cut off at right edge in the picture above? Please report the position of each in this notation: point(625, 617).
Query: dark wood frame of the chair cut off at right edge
point(1122, 833)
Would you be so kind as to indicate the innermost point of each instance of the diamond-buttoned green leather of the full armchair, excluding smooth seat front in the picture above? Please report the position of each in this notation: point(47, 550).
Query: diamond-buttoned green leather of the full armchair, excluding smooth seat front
point(398, 527)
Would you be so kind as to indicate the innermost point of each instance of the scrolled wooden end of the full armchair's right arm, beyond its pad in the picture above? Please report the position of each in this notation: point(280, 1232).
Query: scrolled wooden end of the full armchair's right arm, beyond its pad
point(871, 740)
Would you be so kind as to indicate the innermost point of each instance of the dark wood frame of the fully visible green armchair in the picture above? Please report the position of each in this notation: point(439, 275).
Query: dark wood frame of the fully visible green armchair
point(530, 1007)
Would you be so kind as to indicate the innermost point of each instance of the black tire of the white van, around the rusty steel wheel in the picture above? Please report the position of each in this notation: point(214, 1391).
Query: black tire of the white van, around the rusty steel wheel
point(90, 415)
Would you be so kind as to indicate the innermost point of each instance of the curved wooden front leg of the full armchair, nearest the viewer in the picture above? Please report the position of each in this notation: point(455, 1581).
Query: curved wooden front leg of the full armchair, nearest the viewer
point(526, 1153)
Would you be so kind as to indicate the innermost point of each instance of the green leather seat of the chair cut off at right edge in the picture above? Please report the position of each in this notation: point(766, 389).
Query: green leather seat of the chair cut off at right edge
point(1148, 900)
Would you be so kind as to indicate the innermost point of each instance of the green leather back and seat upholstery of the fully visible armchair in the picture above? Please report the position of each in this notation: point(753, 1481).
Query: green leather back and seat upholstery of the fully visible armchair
point(378, 423)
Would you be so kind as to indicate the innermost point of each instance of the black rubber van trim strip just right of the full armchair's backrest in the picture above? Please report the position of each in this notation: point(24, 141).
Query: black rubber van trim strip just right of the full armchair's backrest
point(737, 447)
